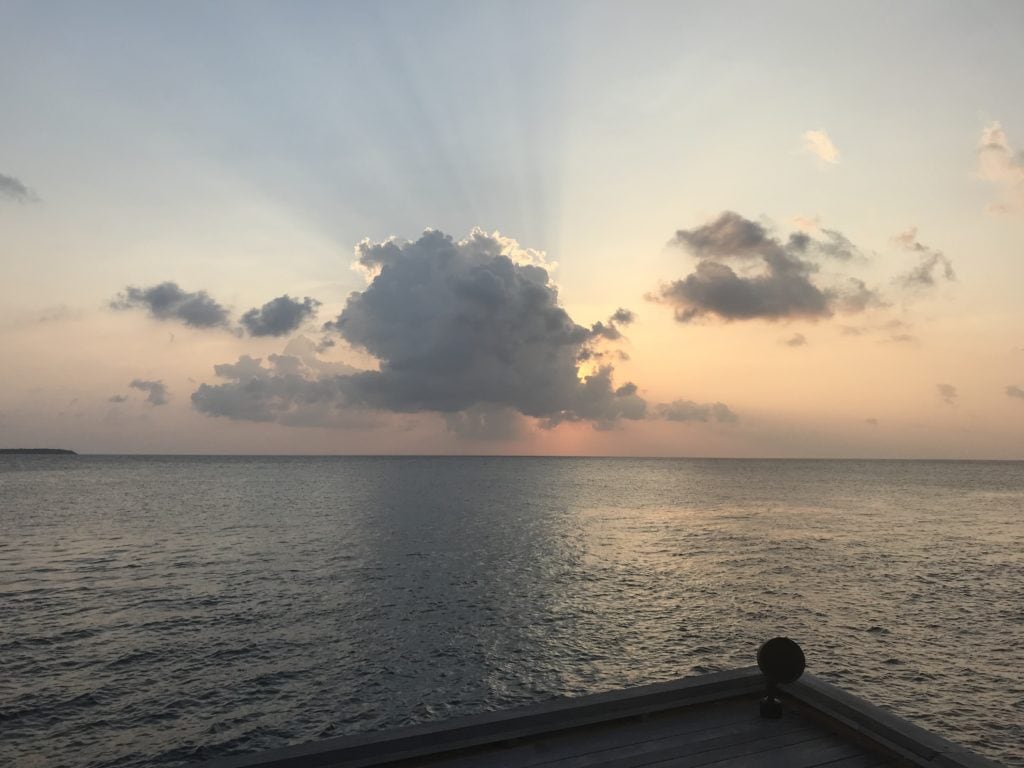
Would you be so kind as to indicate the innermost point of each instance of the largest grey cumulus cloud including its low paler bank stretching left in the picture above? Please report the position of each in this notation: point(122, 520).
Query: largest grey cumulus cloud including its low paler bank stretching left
point(472, 330)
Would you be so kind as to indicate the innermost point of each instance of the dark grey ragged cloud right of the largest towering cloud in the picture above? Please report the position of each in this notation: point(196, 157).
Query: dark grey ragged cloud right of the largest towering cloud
point(784, 288)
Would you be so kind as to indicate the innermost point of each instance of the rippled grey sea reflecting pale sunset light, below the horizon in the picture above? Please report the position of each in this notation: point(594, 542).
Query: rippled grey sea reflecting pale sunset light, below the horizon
point(161, 611)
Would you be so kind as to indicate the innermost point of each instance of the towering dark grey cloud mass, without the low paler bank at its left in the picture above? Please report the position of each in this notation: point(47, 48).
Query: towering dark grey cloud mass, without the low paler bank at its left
point(459, 324)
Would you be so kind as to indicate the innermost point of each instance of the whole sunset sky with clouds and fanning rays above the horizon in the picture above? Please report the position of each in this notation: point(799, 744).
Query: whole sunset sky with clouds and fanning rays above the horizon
point(713, 230)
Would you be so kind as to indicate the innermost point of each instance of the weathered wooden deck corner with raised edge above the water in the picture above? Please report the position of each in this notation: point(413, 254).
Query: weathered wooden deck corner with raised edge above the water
point(712, 720)
